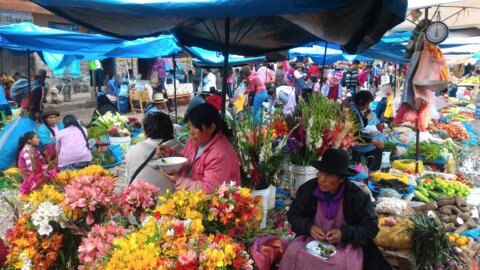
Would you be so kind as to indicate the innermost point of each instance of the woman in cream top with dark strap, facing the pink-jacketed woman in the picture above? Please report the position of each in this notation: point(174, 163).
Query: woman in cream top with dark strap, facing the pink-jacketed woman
point(158, 129)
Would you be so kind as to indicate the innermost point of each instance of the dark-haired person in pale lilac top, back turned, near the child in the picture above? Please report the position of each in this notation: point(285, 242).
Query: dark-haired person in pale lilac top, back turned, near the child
point(72, 145)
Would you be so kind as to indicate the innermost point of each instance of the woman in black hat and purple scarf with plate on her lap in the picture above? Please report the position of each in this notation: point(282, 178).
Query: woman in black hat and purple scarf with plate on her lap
point(332, 209)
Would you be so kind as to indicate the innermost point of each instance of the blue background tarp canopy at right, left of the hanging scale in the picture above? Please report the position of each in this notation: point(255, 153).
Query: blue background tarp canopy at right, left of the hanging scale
point(381, 51)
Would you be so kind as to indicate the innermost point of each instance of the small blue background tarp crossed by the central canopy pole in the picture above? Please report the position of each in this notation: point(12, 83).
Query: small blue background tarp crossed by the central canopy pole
point(205, 58)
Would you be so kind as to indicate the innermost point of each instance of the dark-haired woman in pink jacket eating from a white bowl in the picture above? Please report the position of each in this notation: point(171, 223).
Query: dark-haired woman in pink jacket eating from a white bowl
point(211, 158)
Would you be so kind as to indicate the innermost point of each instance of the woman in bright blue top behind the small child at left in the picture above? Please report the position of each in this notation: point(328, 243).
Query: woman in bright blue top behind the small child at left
point(47, 132)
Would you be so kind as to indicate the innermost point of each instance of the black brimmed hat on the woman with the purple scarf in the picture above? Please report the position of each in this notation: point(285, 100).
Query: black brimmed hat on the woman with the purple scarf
point(334, 161)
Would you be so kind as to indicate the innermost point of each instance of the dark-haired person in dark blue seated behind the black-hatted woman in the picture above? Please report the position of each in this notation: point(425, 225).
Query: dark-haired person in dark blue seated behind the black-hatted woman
point(373, 151)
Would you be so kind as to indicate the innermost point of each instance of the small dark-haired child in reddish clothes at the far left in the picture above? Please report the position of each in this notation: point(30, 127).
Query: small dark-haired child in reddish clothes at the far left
point(29, 157)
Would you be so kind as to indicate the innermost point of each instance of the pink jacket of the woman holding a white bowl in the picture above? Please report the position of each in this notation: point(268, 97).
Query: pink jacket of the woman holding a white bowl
point(217, 164)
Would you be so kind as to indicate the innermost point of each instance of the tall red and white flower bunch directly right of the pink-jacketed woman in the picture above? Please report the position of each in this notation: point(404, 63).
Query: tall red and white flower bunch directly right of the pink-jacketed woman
point(260, 150)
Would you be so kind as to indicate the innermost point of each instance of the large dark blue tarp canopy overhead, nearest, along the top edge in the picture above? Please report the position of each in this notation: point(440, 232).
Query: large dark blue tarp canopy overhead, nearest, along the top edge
point(256, 27)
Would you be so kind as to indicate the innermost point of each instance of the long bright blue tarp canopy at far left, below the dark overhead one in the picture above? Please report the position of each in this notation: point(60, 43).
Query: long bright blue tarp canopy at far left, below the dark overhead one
point(61, 48)
